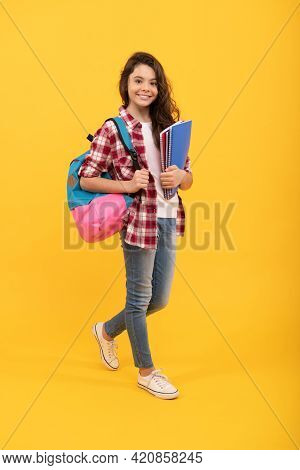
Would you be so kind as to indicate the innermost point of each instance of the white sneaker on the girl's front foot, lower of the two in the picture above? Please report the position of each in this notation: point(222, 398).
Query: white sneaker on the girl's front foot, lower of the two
point(157, 384)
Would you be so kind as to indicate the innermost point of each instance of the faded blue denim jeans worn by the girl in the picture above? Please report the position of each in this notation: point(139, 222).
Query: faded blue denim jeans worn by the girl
point(149, 276)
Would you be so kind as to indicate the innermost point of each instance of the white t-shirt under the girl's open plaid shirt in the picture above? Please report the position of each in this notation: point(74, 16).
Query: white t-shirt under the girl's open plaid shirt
point(165, 207)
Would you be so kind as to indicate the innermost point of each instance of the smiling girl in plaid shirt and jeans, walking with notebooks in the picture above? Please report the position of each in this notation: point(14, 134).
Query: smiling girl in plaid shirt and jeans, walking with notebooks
point(151, 223)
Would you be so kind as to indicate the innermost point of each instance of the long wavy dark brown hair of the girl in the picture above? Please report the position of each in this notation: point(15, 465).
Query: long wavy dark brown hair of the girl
point(163, 110)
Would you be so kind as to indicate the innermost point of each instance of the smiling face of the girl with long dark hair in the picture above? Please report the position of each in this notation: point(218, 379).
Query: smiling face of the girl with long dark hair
point(142, 86)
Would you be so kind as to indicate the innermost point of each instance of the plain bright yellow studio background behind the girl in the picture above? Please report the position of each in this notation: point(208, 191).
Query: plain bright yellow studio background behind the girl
point(229, 338)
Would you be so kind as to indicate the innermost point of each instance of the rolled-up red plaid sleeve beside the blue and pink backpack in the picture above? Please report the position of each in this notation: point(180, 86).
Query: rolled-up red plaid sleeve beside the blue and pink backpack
point(97, 160)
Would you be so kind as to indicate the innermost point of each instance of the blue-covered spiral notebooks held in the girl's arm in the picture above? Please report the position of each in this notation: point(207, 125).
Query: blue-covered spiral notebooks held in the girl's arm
point(174, 146)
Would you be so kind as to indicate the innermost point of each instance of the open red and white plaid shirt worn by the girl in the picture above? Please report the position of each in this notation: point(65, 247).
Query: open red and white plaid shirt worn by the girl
point(108, 154)
